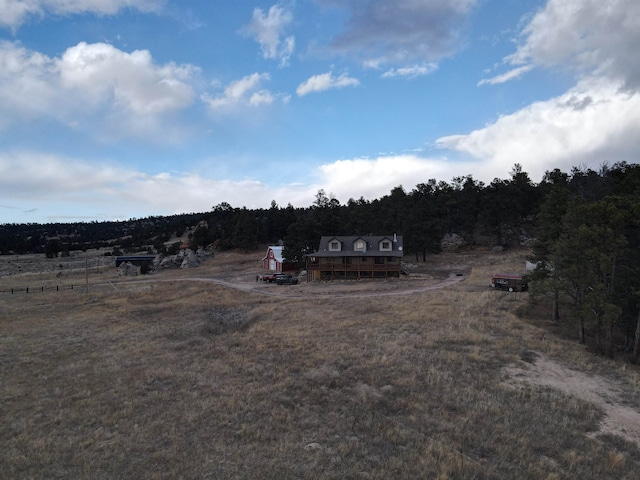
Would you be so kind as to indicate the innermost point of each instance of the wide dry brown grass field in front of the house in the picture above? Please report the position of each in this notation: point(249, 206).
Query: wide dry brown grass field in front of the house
point(205, 373)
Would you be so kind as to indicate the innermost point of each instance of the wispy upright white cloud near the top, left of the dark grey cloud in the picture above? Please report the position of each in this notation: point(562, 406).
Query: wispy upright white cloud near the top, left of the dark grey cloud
point(268, 30)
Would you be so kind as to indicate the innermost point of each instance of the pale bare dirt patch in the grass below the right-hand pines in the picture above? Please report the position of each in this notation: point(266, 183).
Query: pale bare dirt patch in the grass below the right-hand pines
point(620, 419)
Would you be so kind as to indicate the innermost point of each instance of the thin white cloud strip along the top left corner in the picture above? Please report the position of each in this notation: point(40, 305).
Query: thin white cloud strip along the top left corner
point(13, 13)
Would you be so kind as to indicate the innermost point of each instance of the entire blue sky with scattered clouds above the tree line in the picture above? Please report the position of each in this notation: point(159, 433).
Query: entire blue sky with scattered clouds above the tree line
point(114, 109)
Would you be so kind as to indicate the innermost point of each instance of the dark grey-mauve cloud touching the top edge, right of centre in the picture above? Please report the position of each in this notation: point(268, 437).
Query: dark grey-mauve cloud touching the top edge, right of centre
point(402, 31)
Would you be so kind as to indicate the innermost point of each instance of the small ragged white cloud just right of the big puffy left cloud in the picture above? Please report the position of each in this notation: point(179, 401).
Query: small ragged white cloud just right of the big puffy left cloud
point(246, 91)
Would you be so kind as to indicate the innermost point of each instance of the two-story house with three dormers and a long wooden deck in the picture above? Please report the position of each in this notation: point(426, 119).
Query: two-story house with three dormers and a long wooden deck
point(355, 257)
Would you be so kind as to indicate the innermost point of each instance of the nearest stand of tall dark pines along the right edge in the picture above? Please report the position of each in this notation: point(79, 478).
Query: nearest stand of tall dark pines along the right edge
point(587, 256)
